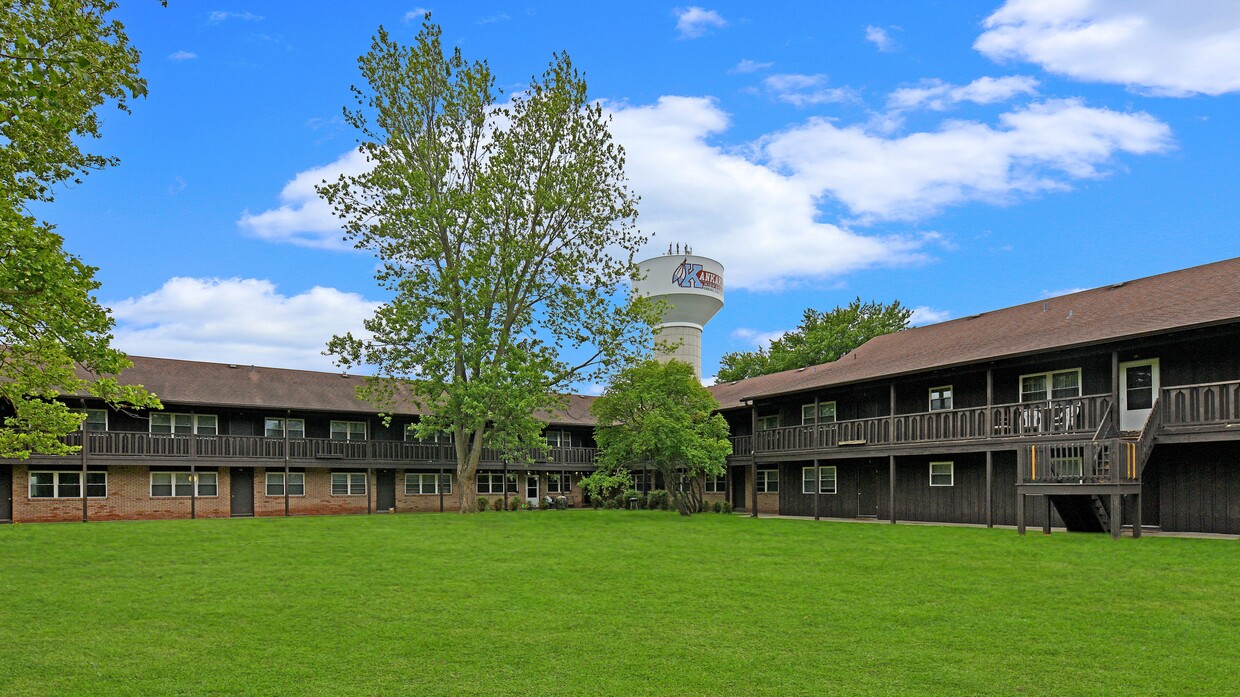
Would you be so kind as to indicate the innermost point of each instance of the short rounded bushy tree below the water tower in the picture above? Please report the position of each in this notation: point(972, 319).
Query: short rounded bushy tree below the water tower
point(658, 415)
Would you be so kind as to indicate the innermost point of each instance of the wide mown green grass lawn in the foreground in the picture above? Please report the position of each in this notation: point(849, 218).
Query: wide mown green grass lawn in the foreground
point(608, 602)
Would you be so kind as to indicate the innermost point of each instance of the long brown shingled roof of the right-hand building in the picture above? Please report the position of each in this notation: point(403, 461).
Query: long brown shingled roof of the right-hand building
point(1191, 298)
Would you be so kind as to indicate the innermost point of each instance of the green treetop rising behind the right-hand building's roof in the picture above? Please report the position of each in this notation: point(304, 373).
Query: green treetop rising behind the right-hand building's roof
point(820, 339)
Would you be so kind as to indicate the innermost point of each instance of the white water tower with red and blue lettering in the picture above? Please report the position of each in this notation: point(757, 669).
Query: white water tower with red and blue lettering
point(694, 290)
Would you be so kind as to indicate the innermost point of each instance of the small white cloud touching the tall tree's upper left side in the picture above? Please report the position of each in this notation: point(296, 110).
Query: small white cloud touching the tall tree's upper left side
point(303, 218)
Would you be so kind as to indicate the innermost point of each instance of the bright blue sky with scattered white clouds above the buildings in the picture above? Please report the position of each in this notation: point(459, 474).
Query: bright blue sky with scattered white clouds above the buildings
point(959, 157)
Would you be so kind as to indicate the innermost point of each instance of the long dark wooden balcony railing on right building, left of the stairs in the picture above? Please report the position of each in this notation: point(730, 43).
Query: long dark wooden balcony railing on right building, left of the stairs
point(1068, 416)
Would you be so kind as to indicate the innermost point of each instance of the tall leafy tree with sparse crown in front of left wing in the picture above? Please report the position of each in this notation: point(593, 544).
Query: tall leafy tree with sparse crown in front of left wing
point(505, 235)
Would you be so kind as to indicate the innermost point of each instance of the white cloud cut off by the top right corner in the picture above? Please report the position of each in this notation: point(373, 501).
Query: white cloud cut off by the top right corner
point(1155, 47)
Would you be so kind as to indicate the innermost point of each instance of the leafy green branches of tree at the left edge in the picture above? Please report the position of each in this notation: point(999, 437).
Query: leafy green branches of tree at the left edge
point(59, 63)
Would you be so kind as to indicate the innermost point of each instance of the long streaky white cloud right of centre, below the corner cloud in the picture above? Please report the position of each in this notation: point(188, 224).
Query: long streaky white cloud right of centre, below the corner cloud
point(1038, 148)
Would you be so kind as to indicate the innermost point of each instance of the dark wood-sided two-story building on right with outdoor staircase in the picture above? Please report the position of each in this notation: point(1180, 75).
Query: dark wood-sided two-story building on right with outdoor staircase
point(1119, 405)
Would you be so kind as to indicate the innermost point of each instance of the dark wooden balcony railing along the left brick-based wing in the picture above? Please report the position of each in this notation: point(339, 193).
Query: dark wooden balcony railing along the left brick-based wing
point(260, 448)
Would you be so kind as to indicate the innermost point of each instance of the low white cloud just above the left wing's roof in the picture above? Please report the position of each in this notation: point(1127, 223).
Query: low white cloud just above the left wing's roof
point(239, 322)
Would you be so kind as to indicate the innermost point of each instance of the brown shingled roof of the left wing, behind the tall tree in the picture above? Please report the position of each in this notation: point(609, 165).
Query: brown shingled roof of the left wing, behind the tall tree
point(230, 385)
